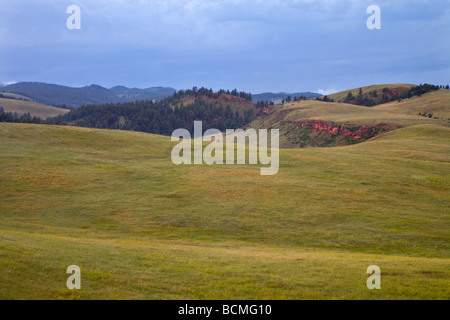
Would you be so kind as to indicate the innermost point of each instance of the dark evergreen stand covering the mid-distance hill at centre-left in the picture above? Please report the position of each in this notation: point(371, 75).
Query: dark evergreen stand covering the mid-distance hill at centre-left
point(163, 117)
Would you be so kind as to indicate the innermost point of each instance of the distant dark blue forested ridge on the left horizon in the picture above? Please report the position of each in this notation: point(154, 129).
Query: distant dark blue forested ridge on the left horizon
point(58, 95)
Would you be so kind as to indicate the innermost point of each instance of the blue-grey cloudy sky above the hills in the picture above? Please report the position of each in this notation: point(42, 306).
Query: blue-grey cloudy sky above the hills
point(251, 45)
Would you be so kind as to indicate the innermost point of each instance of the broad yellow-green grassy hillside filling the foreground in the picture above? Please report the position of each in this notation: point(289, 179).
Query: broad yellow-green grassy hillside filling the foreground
point(140, 227)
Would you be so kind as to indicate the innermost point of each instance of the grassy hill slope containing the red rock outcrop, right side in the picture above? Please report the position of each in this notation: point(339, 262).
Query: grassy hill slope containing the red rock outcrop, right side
point(320, 124)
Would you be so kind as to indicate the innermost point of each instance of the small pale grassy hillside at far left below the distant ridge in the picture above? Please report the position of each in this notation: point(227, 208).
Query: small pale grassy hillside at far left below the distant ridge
point(35, 109)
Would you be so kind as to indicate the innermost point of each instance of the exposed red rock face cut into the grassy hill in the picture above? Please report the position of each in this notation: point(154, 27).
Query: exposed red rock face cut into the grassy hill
point(329, 127)
